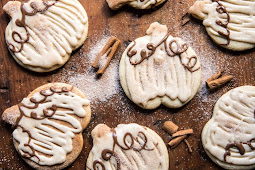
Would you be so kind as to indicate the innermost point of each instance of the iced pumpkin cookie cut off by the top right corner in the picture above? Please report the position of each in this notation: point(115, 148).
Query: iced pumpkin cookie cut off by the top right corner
point(231, 24)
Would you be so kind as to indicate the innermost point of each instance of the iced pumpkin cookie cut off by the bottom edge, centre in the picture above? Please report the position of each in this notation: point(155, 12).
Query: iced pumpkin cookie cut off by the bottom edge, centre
point(128, 146)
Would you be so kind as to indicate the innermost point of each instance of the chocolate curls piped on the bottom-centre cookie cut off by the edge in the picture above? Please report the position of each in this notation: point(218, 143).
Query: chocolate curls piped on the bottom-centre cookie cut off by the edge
point(107, 154)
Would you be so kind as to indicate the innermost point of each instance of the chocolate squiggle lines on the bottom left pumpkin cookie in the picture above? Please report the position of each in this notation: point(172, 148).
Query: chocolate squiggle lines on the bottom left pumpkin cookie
point(47, 113)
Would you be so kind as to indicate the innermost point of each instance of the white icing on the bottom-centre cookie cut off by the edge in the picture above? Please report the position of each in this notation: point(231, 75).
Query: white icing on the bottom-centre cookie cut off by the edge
point(153, 158)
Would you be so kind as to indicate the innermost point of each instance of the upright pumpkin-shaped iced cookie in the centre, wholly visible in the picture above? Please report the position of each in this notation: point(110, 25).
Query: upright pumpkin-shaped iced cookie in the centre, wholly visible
point(159, 68)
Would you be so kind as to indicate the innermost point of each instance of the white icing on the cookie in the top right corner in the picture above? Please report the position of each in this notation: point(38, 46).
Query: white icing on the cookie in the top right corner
point(242, 19)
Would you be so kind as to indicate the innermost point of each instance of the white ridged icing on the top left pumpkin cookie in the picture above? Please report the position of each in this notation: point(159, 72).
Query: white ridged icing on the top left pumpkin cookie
point(53, 34)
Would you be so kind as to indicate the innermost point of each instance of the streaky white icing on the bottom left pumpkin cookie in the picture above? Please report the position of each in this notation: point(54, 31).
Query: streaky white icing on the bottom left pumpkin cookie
point(49, 137)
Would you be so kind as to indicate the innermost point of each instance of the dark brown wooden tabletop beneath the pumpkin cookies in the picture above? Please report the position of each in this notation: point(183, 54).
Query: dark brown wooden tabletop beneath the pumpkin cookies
point(128, 24)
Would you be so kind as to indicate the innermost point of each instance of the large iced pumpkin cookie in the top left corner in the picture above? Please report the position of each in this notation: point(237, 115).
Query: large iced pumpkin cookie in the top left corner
point(42, 34)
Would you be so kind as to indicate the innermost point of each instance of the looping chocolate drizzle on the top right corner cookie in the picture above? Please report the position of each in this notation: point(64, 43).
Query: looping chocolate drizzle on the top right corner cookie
point(222, 10)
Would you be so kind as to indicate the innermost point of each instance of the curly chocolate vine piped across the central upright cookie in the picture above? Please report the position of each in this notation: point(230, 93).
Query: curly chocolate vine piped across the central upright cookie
point(180, 48)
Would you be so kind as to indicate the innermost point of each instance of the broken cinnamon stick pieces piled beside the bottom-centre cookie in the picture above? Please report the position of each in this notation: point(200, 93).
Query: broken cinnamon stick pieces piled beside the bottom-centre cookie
point(177, 136)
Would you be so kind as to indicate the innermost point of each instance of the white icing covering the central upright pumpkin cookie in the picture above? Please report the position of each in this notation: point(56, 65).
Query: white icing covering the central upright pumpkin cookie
point(160, 75)
